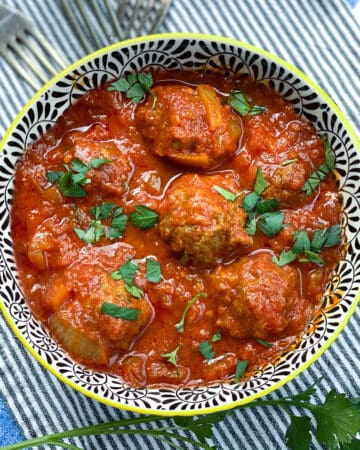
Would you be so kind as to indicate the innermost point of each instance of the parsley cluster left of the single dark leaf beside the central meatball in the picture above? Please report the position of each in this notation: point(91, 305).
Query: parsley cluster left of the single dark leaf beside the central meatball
point(97, 229)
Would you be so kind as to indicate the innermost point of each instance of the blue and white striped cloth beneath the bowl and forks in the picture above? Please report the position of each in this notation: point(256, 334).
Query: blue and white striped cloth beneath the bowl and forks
point(321, 38)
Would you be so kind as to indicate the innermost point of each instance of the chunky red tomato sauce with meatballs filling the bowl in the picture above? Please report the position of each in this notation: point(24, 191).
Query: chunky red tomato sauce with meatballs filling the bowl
point(165, 157)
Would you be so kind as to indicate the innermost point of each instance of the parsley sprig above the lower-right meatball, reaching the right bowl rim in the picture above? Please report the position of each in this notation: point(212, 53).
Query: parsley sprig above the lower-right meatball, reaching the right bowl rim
point(308, 249)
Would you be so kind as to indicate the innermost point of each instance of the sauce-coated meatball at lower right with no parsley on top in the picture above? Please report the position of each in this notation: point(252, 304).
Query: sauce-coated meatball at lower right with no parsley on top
point(257, 298)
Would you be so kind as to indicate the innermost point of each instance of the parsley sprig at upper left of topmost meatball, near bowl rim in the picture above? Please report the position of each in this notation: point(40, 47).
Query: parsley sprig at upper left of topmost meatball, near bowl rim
point(135, 86)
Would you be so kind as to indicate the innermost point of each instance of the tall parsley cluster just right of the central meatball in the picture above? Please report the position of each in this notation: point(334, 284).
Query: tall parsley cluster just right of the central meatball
point(264, 213)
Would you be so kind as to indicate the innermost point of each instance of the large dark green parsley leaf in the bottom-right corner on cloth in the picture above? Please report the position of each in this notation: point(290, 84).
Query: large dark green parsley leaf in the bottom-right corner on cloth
point(338, 420)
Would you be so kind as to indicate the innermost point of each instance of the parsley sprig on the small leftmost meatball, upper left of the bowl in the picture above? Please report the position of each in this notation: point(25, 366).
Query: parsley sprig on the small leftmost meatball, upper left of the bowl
point(70, 182)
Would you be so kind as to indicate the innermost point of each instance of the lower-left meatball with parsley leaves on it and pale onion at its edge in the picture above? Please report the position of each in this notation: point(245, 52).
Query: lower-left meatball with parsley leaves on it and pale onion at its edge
point(76, 296)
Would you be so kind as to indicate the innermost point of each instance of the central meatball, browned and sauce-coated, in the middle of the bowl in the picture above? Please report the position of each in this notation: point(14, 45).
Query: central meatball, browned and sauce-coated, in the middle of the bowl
point(197, 221)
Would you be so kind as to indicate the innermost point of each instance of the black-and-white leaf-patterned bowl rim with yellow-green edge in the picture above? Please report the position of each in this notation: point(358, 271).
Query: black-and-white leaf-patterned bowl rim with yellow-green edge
point(201, 53)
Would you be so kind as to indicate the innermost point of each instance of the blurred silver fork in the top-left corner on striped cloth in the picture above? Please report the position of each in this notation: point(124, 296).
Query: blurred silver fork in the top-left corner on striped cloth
point(26, 50)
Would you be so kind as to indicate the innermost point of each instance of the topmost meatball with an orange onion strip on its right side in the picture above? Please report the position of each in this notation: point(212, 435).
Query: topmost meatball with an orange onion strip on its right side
point(189, 125)
